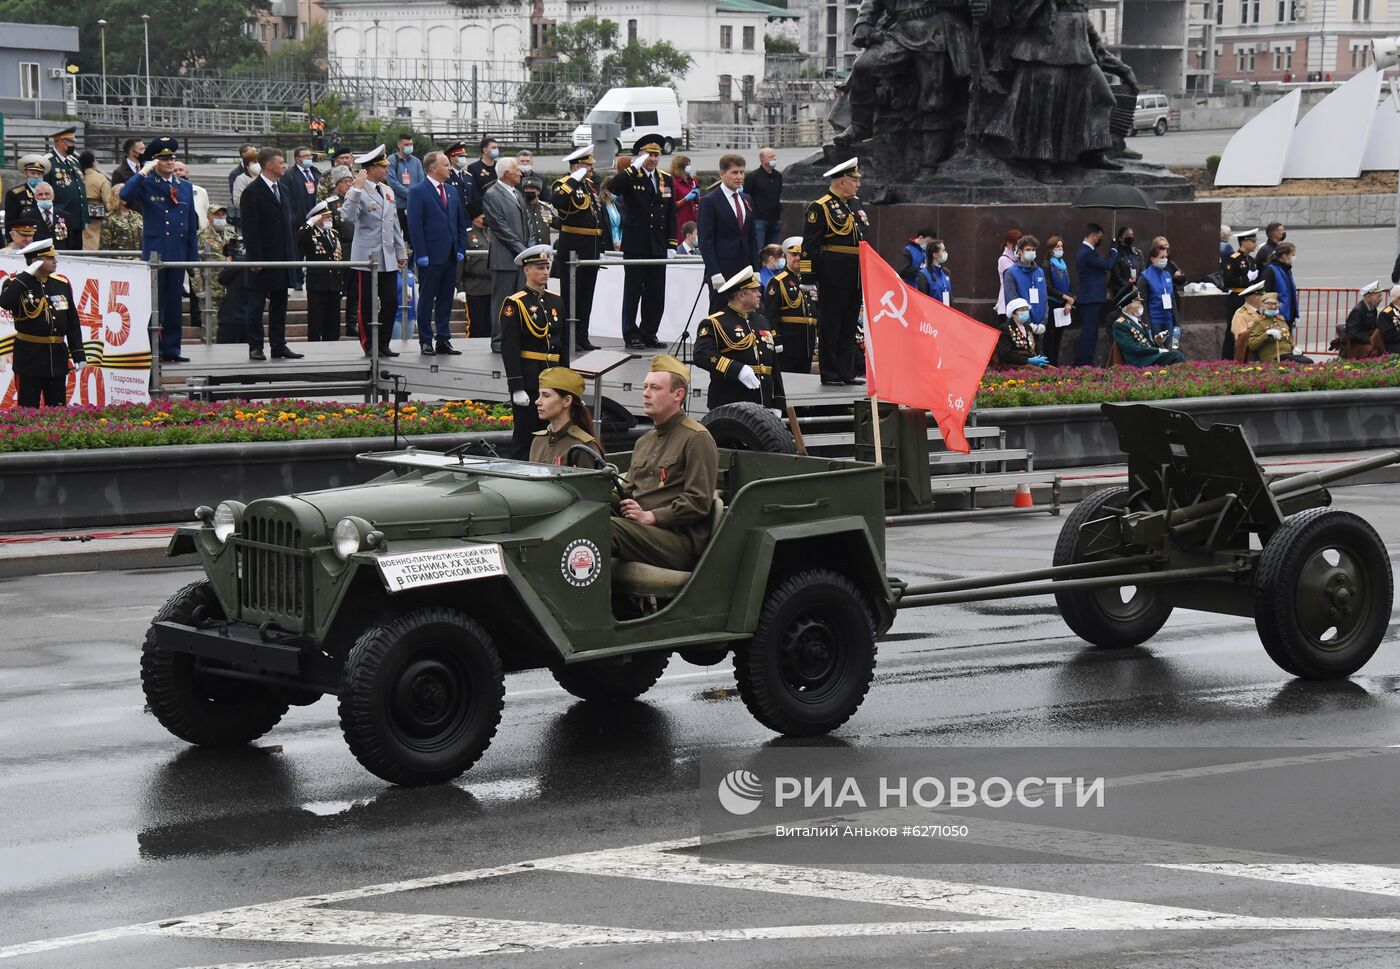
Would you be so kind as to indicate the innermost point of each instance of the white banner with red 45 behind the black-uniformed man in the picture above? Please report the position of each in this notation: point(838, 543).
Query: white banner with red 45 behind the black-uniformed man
point(114, 302)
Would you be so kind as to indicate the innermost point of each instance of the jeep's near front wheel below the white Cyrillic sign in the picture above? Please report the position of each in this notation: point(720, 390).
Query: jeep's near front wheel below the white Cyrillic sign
point(422, 697)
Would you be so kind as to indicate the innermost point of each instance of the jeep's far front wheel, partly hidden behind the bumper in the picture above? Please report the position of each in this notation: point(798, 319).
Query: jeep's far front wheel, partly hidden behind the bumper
point(192, 702)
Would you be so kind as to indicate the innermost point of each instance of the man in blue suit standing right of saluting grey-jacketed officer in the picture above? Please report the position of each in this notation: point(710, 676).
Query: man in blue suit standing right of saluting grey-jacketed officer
point(437, 233)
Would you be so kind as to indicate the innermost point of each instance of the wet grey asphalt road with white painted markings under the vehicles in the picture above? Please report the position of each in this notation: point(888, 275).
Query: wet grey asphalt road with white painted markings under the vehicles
point(108, 823)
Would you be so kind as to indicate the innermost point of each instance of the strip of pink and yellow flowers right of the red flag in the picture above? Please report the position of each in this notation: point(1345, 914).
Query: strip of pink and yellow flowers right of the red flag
point(1030, 389)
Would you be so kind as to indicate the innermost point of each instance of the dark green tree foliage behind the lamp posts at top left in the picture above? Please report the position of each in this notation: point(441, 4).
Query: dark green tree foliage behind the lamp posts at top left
point(206, 34)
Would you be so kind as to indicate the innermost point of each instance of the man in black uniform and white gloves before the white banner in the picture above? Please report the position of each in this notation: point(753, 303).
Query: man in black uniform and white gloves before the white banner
point(47, 331)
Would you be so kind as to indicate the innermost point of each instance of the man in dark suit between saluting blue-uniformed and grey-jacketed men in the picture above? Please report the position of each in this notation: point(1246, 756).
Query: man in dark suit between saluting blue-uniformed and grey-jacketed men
point(267, 214)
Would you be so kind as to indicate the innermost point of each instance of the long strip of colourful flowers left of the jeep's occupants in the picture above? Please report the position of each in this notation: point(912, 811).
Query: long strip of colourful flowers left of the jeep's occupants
point(163, 424)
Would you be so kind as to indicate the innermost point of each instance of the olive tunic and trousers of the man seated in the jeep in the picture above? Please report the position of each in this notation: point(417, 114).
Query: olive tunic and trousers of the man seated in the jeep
point(673, 475)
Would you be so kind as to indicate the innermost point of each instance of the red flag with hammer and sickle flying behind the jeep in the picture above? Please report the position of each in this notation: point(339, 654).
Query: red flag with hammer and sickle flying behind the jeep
point(919, 352)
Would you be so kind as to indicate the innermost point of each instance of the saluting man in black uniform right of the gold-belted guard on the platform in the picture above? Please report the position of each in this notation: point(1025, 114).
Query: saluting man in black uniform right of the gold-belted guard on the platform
point(649, 232)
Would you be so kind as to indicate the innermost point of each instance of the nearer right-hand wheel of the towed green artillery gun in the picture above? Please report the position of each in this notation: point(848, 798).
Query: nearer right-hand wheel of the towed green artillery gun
point(1322, 594)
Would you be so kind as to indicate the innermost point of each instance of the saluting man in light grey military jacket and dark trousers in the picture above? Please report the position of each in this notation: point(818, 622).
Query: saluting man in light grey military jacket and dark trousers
point(370, 208)
